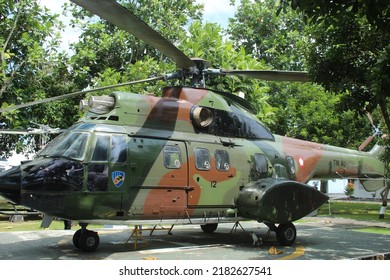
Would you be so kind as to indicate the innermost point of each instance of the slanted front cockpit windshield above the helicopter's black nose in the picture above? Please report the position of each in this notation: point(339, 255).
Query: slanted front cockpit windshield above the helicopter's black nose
point(69, 145)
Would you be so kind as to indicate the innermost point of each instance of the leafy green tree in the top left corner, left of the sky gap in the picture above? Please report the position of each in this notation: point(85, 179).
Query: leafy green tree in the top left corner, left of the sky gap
point(23, 26)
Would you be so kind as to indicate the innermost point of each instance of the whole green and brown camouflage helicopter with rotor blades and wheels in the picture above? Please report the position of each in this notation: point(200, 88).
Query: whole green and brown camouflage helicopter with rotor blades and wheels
point(192, 156)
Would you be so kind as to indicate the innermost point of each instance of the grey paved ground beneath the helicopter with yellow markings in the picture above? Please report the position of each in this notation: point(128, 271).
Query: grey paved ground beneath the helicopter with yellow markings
point(318, 239)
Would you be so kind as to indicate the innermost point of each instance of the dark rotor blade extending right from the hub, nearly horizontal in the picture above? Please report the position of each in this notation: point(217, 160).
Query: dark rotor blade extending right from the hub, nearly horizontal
point(270, 75)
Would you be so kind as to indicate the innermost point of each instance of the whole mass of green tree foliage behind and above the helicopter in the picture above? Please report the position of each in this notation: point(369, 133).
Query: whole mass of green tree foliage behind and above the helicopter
point(353, 56)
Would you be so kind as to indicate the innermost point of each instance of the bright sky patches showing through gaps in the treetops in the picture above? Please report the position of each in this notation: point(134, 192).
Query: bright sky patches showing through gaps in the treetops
point(214, 11)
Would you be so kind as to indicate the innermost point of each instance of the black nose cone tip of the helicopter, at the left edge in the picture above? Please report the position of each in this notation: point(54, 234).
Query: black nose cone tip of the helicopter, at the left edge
point(10, 184)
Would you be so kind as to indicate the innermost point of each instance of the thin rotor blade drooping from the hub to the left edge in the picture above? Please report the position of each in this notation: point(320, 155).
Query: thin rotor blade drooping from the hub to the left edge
point(55, 98)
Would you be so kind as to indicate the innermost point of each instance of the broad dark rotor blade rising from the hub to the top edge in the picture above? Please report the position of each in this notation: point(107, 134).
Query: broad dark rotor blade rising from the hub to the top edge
point(124, 19)
